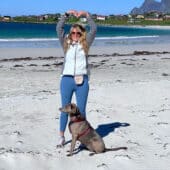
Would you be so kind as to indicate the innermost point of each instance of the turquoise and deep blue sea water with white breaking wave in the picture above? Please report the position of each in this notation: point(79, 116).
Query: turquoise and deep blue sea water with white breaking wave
point(27, 35)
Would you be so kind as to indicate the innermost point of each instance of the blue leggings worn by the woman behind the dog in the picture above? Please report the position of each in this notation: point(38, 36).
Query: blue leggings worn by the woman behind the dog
point(67, 88)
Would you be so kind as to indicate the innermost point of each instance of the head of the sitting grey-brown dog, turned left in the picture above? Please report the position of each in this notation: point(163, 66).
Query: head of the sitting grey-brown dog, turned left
point(71, 109)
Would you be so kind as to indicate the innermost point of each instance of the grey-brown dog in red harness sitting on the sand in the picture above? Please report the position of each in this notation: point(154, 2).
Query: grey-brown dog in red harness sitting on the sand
point(81, 130)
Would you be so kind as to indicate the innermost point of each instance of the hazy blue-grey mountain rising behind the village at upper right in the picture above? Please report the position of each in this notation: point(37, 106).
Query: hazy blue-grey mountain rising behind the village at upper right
point(152, 5)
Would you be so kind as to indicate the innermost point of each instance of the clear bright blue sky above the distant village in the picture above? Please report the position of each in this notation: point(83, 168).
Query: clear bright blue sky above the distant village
point(104, 7)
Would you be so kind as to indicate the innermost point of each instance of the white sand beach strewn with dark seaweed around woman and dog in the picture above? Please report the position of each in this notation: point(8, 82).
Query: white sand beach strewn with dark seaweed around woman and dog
point(128, 104)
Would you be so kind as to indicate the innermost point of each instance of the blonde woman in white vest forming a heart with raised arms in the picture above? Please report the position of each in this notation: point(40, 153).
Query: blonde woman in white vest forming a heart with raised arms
point(75, 68)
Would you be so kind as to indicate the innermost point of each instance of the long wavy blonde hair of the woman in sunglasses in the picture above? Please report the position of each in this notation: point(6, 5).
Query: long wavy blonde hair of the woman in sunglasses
point(82, 40)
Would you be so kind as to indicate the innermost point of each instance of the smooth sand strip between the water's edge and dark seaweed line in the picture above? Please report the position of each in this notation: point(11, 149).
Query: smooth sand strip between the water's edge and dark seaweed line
point(7, 53)
